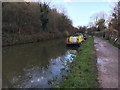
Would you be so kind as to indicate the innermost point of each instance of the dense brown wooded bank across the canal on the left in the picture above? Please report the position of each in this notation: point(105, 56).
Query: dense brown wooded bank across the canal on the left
point(24, 22)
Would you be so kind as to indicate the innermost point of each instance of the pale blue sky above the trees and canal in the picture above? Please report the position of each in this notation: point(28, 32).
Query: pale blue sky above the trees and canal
point(80, 11)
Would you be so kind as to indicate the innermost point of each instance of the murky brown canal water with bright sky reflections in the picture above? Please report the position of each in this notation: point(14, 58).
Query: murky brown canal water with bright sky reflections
point(35, 65)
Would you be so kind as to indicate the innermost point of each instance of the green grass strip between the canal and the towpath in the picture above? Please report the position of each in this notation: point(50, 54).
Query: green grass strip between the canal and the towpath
point(83, 71)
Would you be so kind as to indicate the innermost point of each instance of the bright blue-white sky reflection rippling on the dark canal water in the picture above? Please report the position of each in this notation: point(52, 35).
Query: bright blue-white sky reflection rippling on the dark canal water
point(38, 77)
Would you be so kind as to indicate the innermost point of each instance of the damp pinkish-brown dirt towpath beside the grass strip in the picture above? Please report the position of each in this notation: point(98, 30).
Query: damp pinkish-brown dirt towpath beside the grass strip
point(107, 63)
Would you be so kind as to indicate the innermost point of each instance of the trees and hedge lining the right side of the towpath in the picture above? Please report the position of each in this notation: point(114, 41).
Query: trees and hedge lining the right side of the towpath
point(108, 28)
